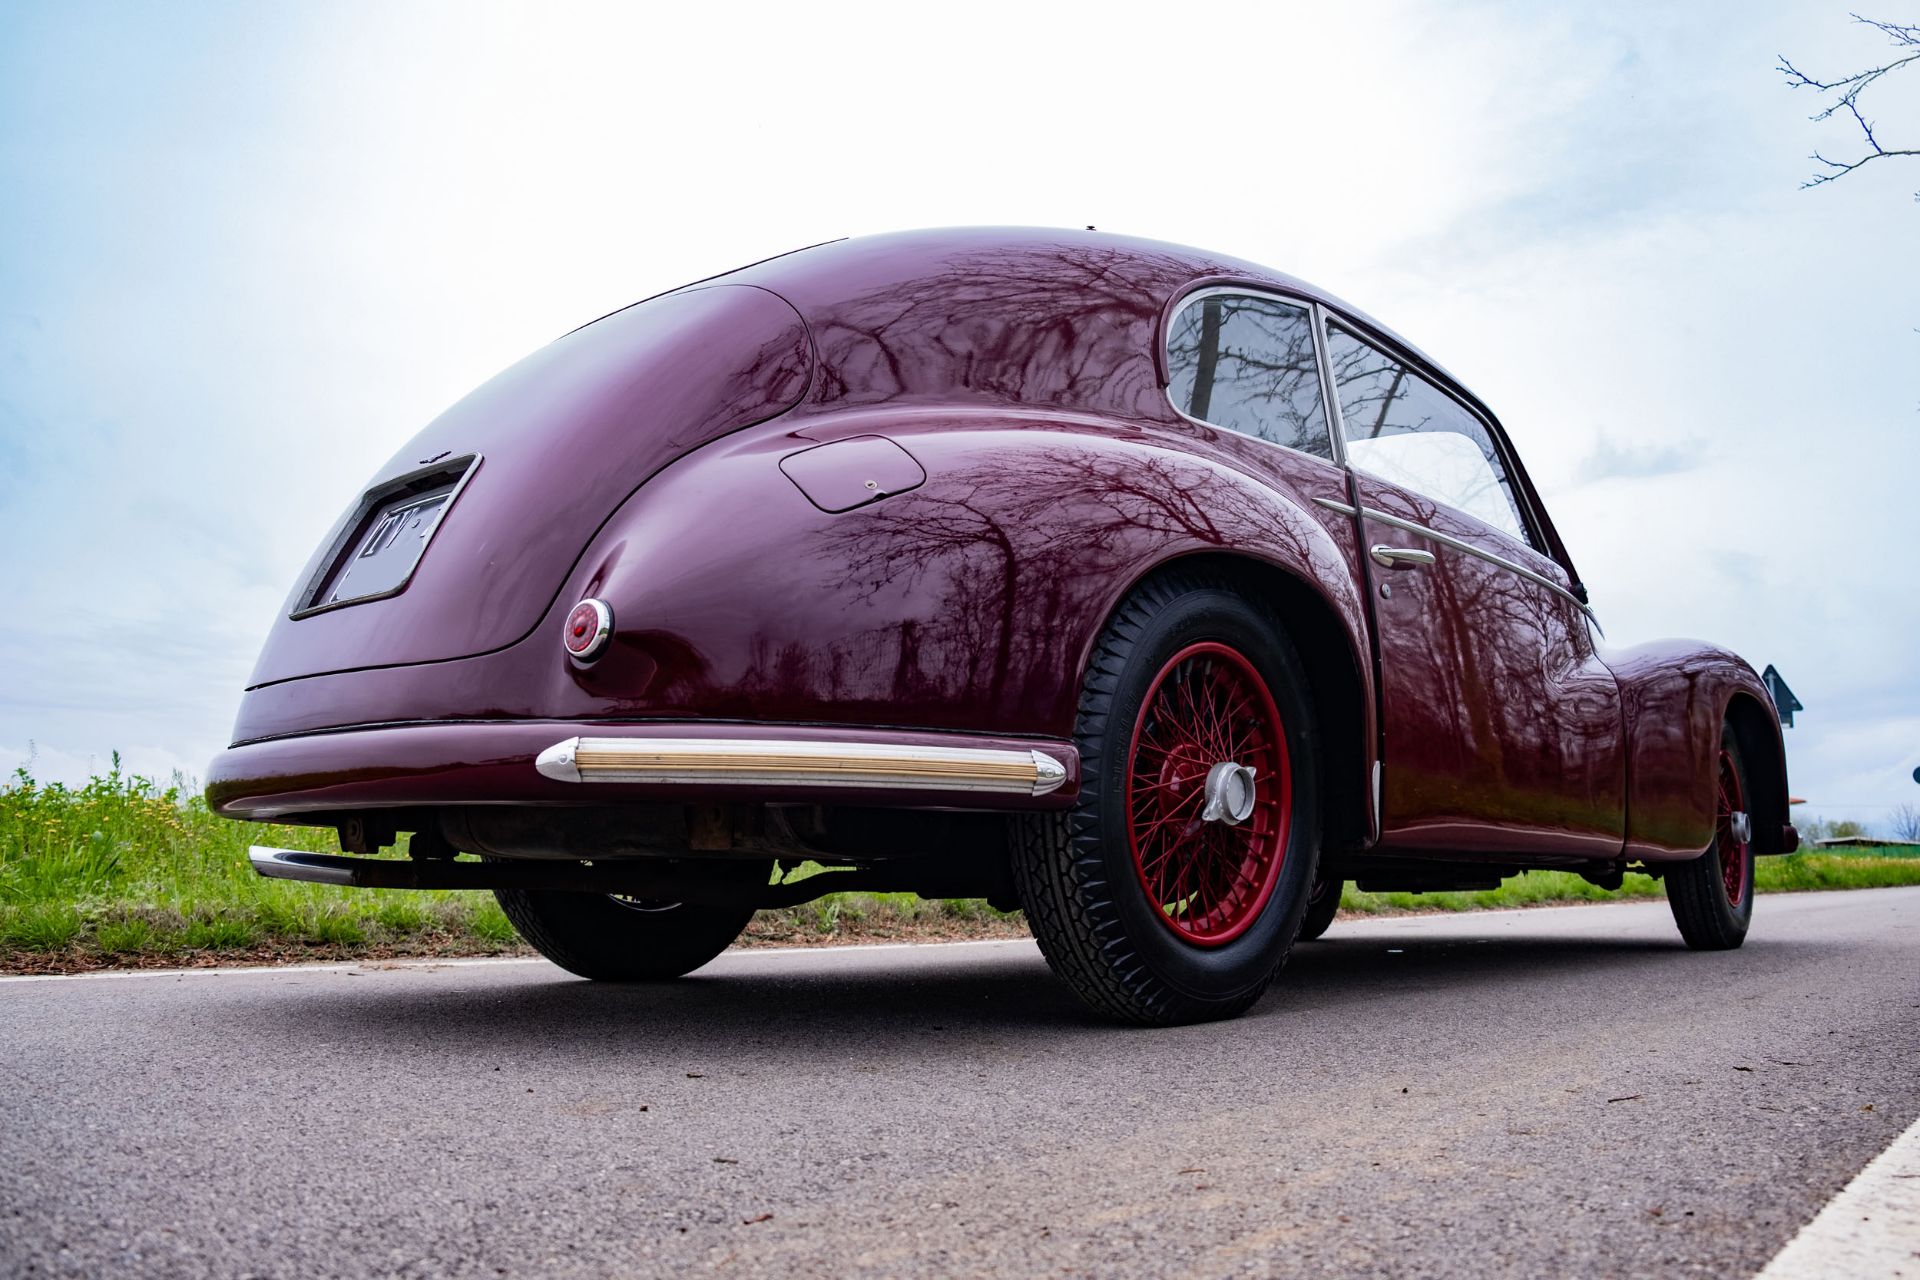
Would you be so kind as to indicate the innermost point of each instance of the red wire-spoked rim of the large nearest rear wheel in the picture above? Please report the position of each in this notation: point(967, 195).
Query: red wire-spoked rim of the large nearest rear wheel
point(1207, 880)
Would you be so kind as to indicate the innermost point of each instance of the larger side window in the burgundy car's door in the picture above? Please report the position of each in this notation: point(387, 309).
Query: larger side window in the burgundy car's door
point(1406, 431)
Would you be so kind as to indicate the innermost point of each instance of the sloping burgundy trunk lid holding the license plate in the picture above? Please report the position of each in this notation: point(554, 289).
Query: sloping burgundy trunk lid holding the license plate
point(460, 544)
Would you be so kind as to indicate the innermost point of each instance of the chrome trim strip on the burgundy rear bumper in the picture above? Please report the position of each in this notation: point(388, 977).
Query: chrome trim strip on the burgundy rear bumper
point(767, 763)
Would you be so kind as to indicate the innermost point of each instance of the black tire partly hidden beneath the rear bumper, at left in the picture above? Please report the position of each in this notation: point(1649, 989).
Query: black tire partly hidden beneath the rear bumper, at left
point(621, 941)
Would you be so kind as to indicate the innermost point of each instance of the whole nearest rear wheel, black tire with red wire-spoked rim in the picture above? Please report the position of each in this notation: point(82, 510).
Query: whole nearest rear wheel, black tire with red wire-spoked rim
point(1172, 891)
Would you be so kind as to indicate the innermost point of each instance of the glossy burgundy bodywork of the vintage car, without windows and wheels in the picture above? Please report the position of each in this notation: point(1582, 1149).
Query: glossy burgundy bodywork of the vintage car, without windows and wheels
point(890, 490)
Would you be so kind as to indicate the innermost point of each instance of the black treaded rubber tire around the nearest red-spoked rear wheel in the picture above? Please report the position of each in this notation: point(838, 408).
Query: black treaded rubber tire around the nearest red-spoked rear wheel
point(1078, 878)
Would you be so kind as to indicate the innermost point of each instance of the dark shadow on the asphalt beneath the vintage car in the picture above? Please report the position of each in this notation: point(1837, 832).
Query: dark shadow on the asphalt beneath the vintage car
point(955, 1001)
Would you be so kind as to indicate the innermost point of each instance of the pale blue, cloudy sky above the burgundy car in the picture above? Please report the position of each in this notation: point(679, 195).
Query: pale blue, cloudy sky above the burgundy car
point(249, 250)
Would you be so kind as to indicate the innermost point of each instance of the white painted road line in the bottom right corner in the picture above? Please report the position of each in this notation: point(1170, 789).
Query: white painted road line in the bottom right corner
point(1869, 1231)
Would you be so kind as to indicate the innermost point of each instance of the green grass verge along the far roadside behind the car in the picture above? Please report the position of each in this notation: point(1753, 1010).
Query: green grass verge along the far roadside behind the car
point(130, 872)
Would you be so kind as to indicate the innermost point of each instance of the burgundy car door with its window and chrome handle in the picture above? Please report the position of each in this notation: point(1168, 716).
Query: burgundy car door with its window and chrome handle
point(1500, 726)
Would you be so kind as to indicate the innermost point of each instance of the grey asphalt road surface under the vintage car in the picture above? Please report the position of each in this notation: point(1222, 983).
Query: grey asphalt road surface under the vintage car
point(1518, 1095)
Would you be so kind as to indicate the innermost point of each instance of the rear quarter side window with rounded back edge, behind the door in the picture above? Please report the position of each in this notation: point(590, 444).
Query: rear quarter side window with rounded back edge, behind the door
point(1247, 364)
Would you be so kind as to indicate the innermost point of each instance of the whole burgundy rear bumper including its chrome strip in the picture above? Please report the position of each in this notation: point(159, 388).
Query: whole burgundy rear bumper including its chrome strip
point(554, 763)
